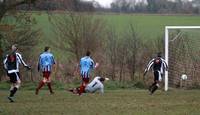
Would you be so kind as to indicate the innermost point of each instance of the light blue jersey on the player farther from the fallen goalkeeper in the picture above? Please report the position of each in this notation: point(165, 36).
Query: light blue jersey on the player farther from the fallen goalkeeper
point(46, 61)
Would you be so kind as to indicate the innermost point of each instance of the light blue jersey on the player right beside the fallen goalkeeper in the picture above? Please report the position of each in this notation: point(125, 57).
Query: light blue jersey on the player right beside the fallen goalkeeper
point(86, 64)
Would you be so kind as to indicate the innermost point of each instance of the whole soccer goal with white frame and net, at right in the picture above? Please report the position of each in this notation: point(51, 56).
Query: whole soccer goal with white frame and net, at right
point(182, 54)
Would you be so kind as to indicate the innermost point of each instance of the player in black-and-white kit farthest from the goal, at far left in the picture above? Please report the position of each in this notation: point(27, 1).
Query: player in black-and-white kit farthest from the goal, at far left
point(11, 65)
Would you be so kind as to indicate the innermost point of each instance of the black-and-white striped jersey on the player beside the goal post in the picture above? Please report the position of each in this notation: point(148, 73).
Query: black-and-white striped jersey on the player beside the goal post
point(157, 64)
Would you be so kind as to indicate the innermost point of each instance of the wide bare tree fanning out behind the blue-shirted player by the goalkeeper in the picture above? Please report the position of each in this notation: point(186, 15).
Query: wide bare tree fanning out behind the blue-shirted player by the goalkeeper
point(78, 33)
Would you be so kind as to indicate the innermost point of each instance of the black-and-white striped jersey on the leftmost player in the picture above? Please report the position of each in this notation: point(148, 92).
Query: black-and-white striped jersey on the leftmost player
point(12, 62)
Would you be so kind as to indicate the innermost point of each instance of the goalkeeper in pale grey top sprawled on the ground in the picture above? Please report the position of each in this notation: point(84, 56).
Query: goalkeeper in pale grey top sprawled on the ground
point(97, 84)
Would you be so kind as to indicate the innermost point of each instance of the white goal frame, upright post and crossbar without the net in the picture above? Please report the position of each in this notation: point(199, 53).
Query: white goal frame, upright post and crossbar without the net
point(167, 28)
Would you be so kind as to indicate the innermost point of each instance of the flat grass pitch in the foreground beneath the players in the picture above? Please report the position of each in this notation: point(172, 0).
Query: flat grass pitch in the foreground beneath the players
point(113, 102)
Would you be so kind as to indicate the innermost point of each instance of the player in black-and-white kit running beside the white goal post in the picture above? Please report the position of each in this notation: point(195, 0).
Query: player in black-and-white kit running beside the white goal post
point(159, 66)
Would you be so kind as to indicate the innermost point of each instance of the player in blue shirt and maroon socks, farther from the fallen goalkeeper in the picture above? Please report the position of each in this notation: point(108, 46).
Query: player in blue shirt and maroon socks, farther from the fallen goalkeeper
point(45, 64)
